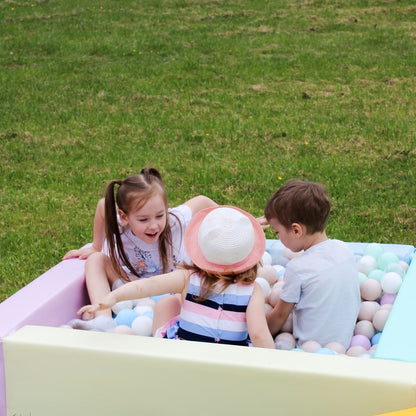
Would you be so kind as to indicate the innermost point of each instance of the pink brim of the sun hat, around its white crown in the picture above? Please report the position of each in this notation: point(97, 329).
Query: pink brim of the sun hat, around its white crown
point(195, 254)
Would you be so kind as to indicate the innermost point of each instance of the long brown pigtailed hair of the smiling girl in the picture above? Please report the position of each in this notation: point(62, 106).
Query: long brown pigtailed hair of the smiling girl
point(132, 194)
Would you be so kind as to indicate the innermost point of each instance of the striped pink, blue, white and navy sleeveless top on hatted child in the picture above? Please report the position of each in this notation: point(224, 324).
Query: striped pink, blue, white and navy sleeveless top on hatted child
point(221, 318)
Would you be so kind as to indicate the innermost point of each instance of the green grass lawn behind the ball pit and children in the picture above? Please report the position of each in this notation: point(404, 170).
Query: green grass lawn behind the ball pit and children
point(226, 98)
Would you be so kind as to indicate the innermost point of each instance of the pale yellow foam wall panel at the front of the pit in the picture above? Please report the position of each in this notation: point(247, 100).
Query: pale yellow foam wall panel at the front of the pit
point(57, 371)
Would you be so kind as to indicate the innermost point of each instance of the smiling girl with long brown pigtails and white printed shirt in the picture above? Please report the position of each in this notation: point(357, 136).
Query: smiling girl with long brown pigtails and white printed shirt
point(143, 237)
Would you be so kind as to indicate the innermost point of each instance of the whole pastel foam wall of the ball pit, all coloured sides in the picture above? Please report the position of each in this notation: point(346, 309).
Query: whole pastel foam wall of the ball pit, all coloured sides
point(49, 370)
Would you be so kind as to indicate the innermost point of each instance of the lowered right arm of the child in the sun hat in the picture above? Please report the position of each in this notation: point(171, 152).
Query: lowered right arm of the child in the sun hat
point(256, 320)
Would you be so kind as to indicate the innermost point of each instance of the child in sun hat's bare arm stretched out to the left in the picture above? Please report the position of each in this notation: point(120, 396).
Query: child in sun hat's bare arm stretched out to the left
point(174, 282)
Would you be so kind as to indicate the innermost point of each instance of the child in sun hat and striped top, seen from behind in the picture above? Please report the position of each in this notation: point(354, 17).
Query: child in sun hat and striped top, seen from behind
point(222, 303)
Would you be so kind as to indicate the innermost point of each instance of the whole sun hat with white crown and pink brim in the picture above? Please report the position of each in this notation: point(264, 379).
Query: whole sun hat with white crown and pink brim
point(224, 239)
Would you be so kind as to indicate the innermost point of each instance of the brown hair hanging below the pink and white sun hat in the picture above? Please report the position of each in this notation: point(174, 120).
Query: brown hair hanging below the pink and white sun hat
point(210, 281)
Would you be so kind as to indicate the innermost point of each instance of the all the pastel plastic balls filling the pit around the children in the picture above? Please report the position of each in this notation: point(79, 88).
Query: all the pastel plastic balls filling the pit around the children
point(381, 274)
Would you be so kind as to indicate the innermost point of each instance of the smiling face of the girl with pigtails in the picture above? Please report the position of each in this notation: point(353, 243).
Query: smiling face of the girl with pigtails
point(147, 222)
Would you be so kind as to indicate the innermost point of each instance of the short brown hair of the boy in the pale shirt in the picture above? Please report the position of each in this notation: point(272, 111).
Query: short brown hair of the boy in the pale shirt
point(300, 201)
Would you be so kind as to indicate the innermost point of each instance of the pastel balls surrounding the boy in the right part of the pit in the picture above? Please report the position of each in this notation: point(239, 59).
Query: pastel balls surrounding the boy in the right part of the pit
point(381, 274)
